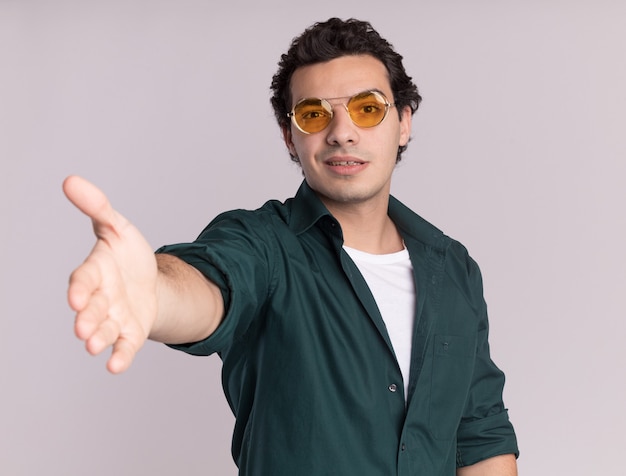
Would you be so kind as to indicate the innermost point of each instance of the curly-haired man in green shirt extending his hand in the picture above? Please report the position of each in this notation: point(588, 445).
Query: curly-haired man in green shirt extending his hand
point(353, 334)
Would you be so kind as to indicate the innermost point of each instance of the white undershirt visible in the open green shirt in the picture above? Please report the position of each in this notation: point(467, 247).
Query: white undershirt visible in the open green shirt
point(390, 279)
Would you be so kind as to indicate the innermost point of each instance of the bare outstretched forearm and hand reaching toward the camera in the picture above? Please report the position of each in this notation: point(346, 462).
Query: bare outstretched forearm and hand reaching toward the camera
point(123, 294)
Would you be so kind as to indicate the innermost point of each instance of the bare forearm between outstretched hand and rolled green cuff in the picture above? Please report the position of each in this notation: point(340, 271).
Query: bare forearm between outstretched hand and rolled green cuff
point(190, 307)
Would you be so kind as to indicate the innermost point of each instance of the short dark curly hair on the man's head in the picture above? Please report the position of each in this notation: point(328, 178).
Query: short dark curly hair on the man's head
point(332, 39)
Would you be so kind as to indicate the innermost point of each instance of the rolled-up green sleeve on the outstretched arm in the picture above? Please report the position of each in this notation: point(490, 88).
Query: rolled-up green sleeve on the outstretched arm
point(235, 252)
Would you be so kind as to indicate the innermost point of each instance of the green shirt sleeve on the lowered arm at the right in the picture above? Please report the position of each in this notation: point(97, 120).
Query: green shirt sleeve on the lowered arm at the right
point(485, 430)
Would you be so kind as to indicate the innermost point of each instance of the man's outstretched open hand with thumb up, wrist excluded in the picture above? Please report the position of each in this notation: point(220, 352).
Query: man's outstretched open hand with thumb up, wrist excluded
point(114, 291)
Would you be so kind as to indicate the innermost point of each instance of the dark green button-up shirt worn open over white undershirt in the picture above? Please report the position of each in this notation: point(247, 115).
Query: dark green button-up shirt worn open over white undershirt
point(308, 367)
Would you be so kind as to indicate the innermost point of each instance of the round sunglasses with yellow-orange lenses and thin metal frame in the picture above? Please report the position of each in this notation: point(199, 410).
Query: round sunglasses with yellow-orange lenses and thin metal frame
point(366, 109)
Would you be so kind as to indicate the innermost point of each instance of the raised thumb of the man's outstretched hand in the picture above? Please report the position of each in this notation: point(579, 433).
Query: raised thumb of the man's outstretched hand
point(90, 200)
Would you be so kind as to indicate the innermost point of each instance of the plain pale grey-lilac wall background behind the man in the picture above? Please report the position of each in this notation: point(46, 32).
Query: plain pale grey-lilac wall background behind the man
point(518, 151)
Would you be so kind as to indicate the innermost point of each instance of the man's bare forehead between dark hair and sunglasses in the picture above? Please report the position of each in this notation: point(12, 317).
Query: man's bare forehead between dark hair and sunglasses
point(340, 77)
